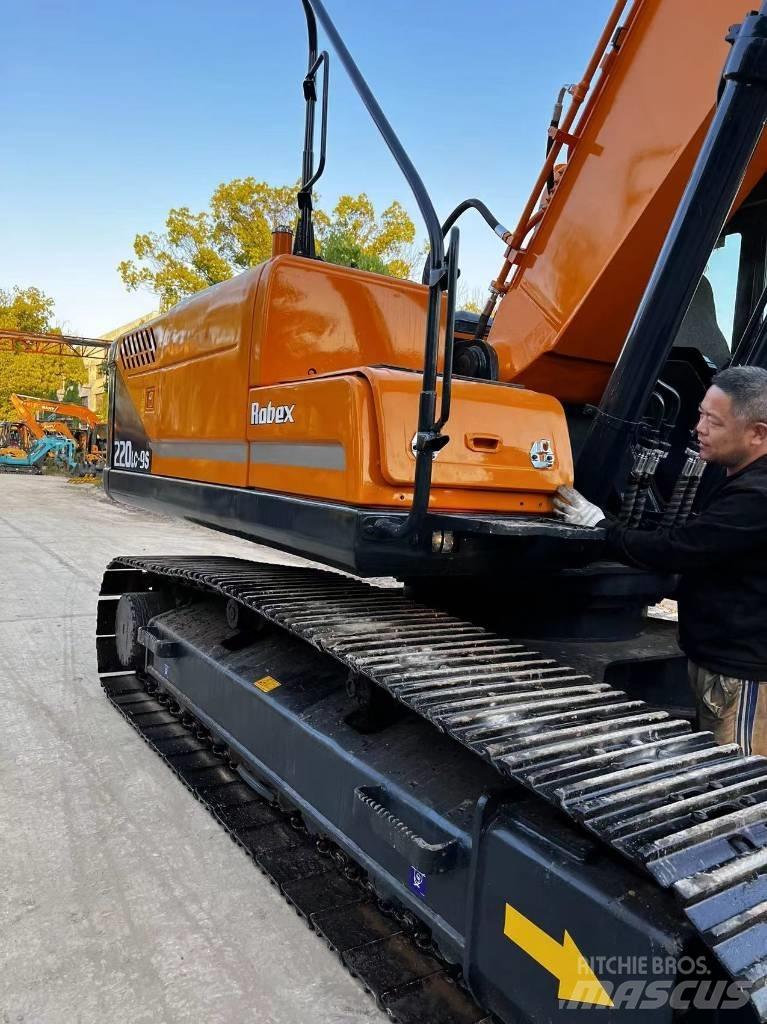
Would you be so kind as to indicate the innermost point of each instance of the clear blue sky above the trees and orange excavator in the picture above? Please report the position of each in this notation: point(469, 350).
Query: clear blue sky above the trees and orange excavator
point(113, 114)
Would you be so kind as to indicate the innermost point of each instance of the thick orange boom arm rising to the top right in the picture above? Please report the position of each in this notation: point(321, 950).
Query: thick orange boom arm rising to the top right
point(563, 324)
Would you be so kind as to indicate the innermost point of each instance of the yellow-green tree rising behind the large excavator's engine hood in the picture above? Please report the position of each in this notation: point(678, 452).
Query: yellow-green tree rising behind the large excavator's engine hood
point(198, 250)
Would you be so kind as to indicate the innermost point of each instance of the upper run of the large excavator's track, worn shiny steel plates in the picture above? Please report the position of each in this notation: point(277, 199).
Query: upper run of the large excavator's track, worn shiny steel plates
point(689, 813)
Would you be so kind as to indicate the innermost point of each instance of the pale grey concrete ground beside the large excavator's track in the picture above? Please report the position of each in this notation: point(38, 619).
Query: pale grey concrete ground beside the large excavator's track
point(121, 901)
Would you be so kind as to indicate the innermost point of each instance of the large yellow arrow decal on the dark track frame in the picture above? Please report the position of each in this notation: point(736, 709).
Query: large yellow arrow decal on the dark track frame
point(578, 984)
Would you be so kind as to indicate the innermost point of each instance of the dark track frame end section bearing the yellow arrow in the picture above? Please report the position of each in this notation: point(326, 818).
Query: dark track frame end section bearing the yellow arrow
point(560, 921)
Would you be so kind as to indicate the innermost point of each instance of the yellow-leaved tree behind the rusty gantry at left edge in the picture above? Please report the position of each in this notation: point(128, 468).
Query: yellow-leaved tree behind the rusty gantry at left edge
point(42, 376)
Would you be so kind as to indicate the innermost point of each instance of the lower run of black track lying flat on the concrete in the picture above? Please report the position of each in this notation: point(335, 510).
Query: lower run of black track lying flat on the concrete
point(379, 947)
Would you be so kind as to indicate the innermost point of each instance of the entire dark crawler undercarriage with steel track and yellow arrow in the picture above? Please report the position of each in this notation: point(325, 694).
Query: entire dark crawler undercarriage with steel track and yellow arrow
point(474, 792)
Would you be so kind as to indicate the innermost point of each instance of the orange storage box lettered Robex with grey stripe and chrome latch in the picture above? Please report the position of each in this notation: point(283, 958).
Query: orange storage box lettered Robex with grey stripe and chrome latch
point(350, 439)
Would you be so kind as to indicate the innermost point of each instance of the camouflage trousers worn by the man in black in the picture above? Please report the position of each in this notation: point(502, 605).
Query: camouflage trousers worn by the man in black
point(735, 710)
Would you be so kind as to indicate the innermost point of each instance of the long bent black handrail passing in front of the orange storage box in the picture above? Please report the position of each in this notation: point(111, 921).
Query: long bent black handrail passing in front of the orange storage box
point(430, 440)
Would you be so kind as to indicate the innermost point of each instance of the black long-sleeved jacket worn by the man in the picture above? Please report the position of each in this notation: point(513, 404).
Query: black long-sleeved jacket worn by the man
point(722, 558)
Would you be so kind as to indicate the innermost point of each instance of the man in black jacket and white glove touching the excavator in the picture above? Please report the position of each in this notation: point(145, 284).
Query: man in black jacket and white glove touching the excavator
point(721, 554)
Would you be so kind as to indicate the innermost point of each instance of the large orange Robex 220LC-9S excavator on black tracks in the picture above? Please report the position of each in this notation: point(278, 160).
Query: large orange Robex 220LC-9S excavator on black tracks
point(478, 779)
